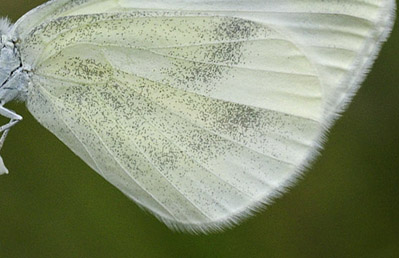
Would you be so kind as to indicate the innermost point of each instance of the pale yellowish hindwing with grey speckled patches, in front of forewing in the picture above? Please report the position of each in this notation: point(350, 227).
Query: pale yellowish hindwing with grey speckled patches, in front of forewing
point(193, 117)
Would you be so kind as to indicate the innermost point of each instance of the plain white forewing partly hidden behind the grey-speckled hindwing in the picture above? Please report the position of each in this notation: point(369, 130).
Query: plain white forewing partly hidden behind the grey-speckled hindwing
point(340, 38)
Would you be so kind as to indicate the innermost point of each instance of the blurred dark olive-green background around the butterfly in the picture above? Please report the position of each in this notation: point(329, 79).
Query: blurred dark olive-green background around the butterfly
point(346, 205)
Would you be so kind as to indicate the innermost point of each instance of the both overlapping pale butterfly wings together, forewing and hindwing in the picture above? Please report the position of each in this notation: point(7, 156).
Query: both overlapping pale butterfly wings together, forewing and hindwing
point(202, 112)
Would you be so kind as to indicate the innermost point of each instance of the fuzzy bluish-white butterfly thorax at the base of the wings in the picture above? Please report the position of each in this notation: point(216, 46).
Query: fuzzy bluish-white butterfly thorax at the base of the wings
point(13, 77)
